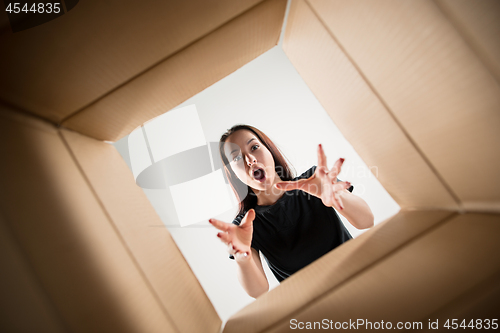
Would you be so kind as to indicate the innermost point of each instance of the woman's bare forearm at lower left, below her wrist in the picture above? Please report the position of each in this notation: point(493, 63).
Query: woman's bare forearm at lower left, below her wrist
point(252, 279)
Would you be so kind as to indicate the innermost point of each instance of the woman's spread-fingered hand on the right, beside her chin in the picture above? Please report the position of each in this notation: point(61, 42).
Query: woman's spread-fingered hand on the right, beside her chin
point(323, 184)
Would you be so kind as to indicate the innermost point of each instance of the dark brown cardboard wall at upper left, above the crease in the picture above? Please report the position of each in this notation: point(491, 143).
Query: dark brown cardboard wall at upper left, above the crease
point(60, 67)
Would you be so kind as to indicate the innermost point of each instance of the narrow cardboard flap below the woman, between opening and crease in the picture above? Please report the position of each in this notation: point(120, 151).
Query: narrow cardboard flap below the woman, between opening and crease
point(335, 269)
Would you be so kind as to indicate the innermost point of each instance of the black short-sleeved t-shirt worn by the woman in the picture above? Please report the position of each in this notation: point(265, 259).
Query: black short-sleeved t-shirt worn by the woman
point(296, 230)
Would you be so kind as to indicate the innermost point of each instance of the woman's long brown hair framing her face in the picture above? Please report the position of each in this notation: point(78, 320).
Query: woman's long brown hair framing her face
point(246, 197)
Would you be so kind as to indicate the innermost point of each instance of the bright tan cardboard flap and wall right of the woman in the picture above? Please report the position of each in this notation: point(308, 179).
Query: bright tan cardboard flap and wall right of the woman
point(408, 93)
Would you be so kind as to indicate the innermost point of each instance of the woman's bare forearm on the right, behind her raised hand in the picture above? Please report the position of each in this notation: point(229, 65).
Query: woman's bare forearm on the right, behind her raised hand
point(356, 210)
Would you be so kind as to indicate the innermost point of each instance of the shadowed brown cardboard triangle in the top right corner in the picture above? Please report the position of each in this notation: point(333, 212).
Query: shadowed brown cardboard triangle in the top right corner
point(479, 25)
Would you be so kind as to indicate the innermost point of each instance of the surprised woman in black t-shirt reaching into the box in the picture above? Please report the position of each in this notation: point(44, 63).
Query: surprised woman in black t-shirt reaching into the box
point(289, 220)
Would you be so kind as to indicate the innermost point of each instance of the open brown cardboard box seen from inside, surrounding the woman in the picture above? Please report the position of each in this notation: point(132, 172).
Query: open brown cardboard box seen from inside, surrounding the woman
point(413, 85)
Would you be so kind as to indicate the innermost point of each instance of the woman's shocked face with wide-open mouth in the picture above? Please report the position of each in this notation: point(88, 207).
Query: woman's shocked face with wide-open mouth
point(250, 160)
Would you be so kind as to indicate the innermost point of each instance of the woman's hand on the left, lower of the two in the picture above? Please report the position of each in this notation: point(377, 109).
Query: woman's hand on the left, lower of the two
point(237, 238)
